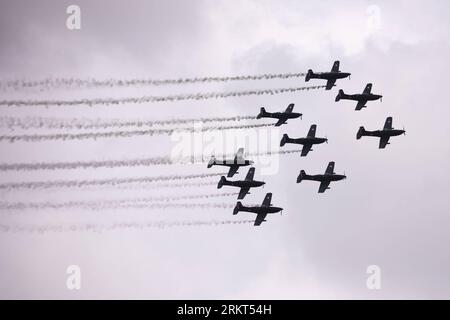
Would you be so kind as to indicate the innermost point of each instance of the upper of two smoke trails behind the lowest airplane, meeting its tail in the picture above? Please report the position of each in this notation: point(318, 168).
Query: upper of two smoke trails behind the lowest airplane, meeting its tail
point(110, 204)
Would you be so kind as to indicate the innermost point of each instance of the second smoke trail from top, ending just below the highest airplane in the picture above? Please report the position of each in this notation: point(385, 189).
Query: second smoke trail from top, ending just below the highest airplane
point(152, 99)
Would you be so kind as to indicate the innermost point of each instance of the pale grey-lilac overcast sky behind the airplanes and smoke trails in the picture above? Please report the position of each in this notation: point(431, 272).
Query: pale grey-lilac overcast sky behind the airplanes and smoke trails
point(392, 211)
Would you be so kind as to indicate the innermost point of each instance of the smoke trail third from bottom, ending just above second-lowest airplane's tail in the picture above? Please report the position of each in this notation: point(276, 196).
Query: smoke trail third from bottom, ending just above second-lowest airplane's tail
point(101, 182)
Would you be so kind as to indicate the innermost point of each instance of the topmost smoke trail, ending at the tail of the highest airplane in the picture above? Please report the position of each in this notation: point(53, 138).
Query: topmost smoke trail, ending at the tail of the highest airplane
point(77, 83)
